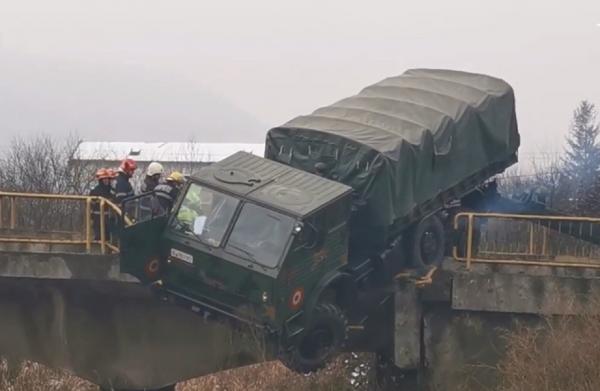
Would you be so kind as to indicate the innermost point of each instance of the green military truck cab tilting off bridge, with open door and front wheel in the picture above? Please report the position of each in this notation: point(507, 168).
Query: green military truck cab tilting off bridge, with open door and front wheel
point(258, 242)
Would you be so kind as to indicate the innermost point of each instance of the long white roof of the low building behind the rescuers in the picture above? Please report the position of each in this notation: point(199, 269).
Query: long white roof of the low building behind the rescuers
point(182, 152)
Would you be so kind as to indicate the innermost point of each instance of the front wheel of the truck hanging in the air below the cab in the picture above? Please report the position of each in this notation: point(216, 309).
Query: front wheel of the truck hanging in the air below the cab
point(322, 340)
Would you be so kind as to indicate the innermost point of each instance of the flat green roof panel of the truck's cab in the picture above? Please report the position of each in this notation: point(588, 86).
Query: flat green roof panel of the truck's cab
point(266, 181)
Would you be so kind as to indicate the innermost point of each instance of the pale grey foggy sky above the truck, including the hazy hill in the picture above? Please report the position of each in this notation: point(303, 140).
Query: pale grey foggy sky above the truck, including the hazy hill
point(227, 71)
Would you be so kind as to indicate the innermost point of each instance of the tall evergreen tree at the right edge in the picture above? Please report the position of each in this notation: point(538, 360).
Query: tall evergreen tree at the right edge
point(581, 163)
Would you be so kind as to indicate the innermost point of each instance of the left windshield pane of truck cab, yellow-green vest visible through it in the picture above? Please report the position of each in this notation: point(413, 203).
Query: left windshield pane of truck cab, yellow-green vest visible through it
point(205, 213)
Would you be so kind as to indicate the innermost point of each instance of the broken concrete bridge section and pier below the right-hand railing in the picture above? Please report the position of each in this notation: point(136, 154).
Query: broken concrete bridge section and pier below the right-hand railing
point(452, 334)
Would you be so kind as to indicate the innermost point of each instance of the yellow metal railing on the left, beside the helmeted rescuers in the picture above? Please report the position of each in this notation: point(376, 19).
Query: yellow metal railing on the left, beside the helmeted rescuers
point(57, 219)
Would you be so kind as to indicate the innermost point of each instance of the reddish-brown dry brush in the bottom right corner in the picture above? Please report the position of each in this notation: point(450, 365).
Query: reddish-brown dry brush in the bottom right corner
point(565, 355)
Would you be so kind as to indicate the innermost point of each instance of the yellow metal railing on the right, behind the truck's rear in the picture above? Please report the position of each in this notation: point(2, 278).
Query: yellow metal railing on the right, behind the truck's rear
point(535, 240)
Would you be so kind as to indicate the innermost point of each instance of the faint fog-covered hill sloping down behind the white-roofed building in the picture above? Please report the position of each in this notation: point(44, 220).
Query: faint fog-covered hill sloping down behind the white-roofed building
point(114, 103)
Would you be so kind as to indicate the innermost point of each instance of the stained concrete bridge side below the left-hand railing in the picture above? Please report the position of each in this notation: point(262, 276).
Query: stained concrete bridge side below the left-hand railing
point(77, 312)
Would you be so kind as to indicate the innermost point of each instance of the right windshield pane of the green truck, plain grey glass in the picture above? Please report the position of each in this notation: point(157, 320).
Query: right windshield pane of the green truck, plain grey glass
point(260, 235)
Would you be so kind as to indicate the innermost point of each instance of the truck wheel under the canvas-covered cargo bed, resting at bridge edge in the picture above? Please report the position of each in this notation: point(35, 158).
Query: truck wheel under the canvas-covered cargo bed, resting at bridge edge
point(426, 243)
